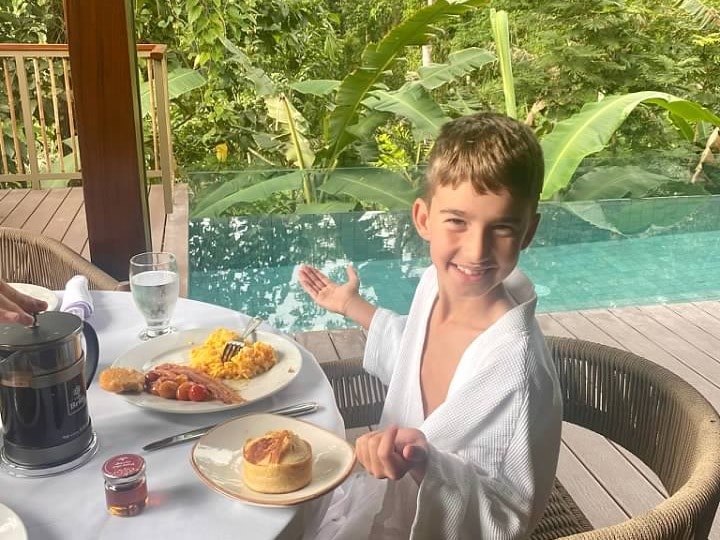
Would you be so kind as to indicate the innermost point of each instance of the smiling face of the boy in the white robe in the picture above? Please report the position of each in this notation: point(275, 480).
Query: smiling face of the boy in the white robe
point(475, 239)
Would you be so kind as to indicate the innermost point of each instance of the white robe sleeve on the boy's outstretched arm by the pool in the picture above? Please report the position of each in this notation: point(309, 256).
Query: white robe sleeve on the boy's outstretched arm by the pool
point(383, 343)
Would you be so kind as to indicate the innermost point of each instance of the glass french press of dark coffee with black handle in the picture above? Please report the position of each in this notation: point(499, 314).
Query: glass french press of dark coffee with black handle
point(44, 375)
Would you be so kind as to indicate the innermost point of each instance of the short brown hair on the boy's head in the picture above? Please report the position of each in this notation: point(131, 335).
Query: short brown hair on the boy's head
point(492, 151)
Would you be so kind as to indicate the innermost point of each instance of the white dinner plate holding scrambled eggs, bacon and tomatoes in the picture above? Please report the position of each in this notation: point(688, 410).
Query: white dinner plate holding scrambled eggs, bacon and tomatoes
point(175, 348)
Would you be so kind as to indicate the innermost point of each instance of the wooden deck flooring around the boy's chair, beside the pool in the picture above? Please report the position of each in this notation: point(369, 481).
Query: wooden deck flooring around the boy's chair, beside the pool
point(607, 482)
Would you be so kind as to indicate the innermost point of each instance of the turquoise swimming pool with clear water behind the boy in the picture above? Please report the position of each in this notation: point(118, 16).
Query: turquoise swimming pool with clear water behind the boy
point(585, 255)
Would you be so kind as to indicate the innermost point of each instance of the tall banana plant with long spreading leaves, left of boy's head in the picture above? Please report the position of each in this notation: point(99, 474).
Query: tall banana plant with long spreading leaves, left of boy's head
point(358, 104)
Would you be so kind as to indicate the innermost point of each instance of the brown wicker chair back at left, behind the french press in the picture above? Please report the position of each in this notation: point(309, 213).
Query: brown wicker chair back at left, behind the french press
point(27, 257)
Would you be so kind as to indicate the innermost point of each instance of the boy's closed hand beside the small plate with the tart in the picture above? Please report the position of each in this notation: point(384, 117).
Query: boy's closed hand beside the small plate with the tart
point(393, 453)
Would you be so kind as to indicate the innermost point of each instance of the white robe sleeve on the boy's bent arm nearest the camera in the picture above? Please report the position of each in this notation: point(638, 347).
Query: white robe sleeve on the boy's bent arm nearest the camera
point(496, 481)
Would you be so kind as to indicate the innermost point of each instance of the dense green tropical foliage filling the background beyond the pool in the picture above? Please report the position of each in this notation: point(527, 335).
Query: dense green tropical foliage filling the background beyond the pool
point(273, 98)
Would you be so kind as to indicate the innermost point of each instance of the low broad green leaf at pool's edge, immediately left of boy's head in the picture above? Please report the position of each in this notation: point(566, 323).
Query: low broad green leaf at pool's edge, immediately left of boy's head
point(378, 185)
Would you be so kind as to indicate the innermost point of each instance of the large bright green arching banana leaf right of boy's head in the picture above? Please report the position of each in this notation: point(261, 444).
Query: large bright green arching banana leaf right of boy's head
point(590, 130)
